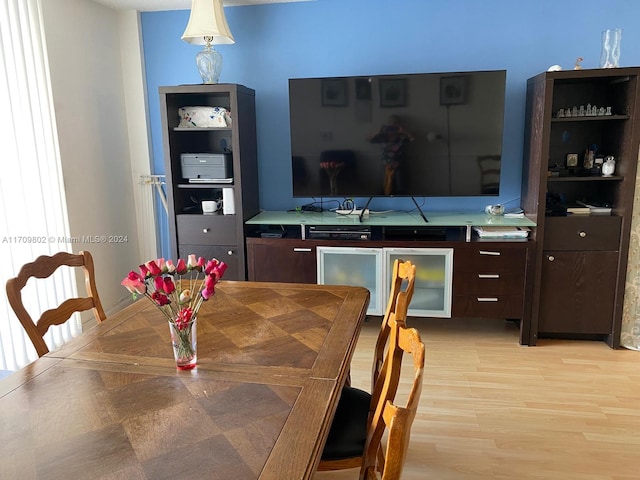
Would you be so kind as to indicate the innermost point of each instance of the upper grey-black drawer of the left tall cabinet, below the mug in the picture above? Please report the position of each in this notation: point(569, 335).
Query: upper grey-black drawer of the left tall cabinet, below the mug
point(207, 229)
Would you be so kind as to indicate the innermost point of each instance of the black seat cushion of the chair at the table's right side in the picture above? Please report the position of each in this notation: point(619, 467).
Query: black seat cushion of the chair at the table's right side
point(348, 431)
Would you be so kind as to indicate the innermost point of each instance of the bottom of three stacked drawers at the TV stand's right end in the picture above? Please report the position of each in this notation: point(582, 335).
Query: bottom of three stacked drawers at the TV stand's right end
point(488, 306)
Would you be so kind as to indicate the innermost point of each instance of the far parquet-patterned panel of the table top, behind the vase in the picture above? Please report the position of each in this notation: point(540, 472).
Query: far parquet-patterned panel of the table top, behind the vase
point(284, 327)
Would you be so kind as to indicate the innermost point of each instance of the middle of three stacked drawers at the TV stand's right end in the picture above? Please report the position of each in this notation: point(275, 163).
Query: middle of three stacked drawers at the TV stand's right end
point(479, 283)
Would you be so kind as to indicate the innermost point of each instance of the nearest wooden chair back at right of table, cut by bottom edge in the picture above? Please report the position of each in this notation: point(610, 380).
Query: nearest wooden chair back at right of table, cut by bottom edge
point(387, 416)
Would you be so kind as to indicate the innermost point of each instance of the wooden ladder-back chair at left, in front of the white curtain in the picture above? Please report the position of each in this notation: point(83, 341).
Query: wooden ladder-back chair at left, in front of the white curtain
point(41, 268)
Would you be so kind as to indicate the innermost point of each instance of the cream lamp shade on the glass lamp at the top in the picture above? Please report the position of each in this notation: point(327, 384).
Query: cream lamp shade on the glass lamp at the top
point(207, 20)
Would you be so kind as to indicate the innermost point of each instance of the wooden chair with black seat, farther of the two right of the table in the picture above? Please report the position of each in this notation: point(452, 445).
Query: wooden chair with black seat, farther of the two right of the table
point(345, 445)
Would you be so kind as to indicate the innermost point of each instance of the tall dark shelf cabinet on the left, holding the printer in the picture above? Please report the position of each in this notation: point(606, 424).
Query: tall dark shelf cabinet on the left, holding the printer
point(190, 230)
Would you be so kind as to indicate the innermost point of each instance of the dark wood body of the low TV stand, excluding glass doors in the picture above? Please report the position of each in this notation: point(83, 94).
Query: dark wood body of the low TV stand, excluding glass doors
point(490, 279)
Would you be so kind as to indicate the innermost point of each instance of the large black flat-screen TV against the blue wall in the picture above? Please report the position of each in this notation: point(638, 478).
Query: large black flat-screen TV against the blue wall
point(415, 135)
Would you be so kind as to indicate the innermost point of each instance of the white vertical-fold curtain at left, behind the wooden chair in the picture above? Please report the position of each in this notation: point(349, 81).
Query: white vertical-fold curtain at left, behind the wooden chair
point(33, 213)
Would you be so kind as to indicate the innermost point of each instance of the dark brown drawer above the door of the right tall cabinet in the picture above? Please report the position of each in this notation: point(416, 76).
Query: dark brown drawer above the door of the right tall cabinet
point(582, 233)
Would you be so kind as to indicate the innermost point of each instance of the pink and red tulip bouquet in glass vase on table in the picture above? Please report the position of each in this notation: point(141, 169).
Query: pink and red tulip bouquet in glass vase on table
point(178, 290)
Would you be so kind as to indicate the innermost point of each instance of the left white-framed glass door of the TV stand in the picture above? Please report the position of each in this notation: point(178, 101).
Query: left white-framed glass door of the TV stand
point(360, 267)
